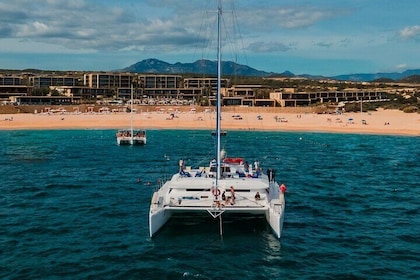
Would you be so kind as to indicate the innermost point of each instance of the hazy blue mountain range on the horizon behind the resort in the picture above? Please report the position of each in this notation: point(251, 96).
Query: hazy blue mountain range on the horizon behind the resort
point(230, 68)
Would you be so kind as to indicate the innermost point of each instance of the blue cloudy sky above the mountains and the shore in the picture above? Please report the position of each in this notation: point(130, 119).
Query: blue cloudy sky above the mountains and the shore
point(317, 37)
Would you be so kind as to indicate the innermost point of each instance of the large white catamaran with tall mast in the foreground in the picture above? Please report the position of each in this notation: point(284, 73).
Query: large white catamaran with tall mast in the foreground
point(227, 187)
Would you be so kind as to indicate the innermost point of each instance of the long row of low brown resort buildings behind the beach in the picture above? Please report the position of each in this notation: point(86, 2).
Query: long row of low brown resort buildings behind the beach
point(159, 89)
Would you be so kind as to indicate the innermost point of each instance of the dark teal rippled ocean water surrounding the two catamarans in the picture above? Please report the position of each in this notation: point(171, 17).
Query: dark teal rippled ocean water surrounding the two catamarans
point(75, 205)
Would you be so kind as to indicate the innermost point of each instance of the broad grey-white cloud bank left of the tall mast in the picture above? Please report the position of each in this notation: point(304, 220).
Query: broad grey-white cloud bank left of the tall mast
point(93, 26)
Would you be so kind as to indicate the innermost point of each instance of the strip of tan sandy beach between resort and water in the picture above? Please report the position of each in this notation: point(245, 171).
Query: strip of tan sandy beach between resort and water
point(388, 122)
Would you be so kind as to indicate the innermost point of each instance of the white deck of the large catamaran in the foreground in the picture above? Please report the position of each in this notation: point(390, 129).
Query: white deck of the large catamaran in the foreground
point(195, 189)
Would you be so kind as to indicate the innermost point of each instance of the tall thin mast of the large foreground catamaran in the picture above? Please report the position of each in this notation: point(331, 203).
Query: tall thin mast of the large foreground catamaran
point(218, 96)
